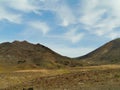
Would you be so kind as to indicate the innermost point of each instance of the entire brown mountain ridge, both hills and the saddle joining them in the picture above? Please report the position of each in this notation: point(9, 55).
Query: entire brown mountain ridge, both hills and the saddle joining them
point(25, 55)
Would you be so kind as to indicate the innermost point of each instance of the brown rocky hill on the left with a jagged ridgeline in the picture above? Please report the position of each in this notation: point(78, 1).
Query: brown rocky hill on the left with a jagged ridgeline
point(24, 55)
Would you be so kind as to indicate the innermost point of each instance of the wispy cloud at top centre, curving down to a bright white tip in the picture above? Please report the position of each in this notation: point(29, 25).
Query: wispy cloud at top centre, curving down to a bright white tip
point(64, 13)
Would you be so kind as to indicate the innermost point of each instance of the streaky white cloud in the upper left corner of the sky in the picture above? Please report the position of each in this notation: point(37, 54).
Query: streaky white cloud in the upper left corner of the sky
point(7, 8)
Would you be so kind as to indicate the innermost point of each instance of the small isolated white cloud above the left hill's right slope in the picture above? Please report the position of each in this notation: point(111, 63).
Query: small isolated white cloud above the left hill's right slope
point(39, 26)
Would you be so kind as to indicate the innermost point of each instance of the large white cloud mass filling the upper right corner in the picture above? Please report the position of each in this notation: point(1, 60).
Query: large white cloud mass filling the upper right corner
point(101, 17)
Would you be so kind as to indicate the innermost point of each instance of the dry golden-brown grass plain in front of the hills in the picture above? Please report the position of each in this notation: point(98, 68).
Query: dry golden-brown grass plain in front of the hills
point(58, 79)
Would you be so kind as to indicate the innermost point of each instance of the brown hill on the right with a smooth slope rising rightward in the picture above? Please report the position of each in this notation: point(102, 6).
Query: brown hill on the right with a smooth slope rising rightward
point(106, 54)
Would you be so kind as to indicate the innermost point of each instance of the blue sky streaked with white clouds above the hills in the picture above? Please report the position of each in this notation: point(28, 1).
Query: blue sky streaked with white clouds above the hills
point(69, 27)
